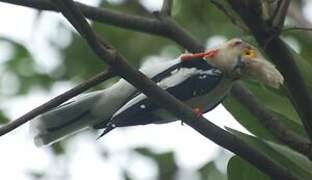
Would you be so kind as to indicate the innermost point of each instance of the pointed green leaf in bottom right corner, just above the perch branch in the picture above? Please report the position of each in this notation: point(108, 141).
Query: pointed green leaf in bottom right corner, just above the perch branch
point(294, 162)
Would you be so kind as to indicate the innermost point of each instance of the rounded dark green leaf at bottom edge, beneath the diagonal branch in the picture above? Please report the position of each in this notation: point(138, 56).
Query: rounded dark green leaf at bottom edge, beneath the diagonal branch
point(239, 169)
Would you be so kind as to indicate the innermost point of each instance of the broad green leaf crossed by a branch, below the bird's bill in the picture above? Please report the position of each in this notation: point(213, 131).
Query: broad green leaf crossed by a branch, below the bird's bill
point(274, 100)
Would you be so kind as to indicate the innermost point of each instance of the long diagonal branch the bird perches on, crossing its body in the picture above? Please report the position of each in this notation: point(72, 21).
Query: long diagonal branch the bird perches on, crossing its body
point(166, 100)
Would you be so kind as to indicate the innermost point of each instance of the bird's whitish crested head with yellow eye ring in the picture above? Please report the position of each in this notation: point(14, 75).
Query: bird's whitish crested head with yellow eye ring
point(238, 59)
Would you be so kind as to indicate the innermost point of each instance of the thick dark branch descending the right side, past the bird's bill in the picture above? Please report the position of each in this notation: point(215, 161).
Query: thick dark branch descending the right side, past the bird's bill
point(278, 51)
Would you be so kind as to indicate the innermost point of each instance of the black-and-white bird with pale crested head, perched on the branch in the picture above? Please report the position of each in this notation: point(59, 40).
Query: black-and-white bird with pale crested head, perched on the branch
point(201, 80)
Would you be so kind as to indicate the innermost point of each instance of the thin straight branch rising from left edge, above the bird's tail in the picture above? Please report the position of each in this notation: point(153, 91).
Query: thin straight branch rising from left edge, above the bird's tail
point(95, 80)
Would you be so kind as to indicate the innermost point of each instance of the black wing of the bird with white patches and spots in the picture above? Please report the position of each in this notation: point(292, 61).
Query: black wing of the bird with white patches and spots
point(138, 110)
